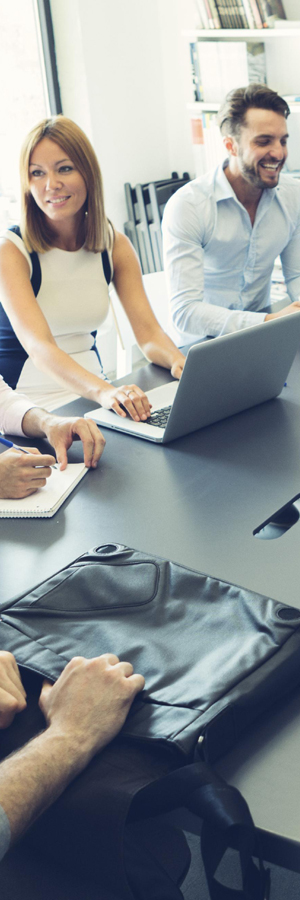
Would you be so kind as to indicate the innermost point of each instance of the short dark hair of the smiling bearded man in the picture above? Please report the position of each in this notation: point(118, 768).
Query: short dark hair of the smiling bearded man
point(232, 112)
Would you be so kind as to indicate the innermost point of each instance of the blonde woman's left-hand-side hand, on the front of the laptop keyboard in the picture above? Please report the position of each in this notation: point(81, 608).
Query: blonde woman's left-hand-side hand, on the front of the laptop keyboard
point(128, 396)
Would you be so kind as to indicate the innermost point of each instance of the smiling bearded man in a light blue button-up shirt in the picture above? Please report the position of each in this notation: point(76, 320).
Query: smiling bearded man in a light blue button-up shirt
point(223, 231)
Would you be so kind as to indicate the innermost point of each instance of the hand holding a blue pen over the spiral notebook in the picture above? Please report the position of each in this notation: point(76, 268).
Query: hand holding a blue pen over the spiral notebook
point(21, 474)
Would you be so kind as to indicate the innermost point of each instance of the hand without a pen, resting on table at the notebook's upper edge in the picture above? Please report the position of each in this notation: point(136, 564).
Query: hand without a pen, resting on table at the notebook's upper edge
point(61, 432)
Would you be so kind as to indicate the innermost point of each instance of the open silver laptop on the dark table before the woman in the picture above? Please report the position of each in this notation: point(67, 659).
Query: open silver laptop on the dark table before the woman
point(221, 377)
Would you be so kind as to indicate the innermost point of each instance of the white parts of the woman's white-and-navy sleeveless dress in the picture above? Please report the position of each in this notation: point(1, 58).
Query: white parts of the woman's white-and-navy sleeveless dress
point(74, 299)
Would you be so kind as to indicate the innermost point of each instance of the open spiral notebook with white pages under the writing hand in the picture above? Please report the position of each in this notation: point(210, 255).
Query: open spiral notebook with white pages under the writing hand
point(47, 500)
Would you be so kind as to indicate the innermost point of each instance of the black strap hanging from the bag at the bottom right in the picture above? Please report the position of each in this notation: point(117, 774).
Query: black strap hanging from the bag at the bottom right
point(227, 823)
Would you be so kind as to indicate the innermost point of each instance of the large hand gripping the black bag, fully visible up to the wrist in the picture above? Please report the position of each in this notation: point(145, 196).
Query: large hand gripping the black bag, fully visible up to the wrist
point(90, 701)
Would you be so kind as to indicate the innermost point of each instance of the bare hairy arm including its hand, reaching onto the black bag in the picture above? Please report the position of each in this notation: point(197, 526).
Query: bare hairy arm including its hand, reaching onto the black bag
point(84, 711)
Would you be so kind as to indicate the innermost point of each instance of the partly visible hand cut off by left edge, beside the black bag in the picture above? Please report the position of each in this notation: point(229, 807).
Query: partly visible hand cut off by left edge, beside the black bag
point(12, 693)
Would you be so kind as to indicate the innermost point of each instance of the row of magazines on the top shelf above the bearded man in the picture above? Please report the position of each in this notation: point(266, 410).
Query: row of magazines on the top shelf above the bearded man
point(239, 13)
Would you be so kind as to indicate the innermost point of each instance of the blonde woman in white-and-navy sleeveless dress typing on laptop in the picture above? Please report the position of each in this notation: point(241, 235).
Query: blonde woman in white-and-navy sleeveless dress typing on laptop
point(54, 275)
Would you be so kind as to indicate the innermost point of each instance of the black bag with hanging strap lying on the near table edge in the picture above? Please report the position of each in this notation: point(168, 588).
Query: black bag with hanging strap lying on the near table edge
point(215, 656)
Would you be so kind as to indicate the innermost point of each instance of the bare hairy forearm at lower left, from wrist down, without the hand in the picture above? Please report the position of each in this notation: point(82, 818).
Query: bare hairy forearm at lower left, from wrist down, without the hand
point(33, 778)
